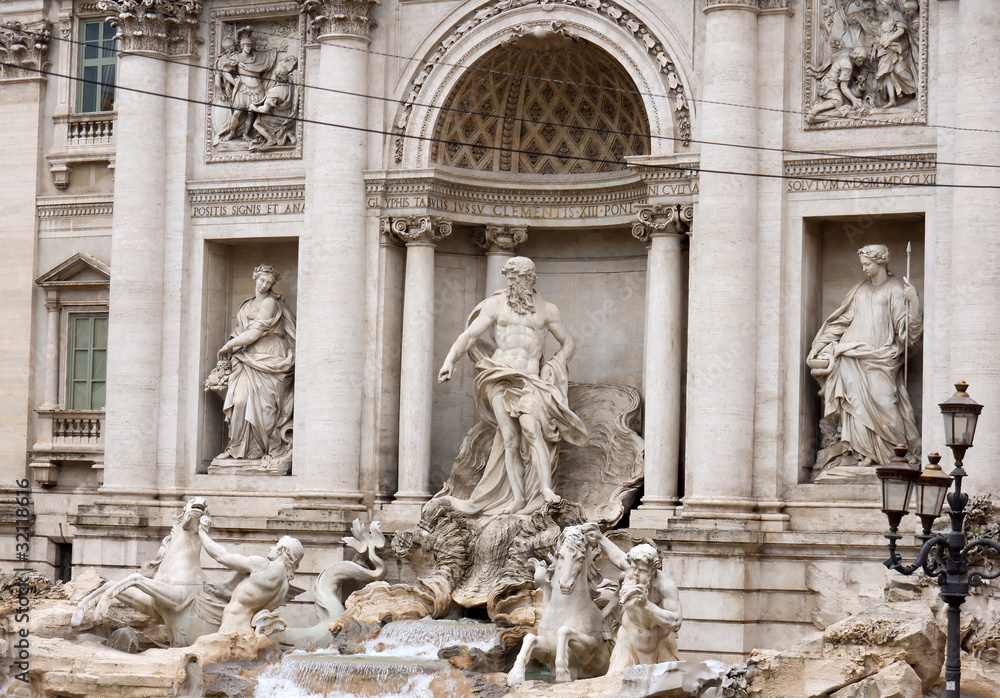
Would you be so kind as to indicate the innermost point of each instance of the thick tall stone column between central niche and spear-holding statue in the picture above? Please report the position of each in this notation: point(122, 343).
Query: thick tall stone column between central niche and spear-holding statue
point(722, 308)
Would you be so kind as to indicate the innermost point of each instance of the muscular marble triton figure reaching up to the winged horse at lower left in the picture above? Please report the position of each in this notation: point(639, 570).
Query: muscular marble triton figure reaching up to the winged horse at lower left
point(266, 582)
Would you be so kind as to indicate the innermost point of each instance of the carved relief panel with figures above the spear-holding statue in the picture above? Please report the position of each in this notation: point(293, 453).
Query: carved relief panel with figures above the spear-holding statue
point(865, 63)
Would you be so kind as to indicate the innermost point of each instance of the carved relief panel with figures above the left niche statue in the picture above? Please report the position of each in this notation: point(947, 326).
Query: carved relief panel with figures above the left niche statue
point(255, 85)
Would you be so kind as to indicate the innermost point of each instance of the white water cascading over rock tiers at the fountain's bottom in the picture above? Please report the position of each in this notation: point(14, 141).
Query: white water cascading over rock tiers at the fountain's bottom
point(400, 663)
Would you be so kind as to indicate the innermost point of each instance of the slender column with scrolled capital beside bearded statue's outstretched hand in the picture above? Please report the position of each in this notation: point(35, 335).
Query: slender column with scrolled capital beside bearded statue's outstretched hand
point(417, 374)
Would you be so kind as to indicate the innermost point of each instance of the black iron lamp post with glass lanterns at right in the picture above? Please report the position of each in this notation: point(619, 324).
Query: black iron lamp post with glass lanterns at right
point(941, 557)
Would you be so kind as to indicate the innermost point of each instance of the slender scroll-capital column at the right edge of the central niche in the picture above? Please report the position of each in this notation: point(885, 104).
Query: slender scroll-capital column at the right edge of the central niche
point(663, 227)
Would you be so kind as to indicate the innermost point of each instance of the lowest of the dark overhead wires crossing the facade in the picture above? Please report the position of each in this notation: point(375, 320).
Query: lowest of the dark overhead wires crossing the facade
point(694, 167)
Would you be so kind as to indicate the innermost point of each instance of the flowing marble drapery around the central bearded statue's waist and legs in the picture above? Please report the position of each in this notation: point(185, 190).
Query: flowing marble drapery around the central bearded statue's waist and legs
point(542, 396)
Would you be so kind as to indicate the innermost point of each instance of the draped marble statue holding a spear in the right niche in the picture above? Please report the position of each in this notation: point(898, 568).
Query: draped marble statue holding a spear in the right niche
point(857, 357)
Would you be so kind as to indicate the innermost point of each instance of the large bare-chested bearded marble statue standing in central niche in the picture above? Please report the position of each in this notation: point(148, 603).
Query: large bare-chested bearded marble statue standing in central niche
point(524, 397)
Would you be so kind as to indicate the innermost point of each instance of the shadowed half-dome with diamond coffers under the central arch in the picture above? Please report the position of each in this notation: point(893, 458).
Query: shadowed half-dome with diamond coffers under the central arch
point(538, 107)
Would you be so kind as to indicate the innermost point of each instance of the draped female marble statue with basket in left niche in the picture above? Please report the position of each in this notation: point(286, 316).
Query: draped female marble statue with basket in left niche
point(255, 372)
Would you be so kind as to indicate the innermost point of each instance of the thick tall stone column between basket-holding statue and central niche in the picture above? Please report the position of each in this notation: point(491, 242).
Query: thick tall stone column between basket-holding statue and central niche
point(329, 371)
